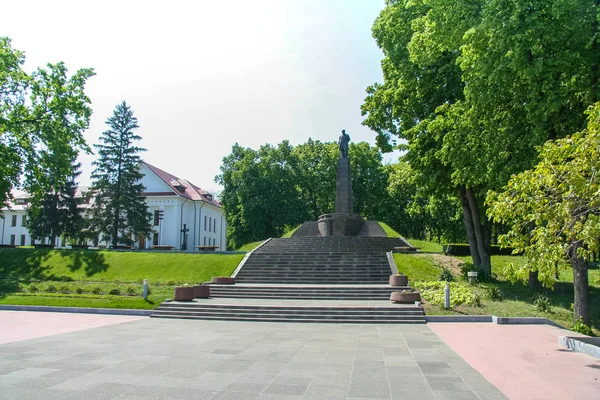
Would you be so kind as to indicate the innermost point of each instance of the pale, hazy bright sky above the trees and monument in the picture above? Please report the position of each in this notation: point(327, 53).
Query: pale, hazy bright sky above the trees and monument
point(203, 75)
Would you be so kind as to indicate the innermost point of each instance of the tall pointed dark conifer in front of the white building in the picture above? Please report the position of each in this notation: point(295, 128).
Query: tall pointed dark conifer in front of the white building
point(120, 211)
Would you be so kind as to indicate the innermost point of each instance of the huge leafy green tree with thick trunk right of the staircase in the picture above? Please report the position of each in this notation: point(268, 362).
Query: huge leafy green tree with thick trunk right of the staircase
point(524, 87)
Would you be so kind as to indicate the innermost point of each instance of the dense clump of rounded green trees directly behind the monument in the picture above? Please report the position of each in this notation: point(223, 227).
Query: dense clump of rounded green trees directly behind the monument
point(275, 187)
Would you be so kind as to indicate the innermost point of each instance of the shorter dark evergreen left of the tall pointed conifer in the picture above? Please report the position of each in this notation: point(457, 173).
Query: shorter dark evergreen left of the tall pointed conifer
point(56, 212)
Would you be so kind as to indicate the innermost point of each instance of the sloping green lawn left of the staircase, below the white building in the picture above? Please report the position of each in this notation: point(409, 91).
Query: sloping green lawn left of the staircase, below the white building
point(85, 278)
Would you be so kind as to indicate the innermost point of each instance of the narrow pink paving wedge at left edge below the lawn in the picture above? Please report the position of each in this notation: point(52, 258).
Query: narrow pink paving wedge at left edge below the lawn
point(23, 325)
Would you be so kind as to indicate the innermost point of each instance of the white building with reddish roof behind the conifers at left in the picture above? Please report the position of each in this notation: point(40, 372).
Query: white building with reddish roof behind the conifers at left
point(176, 206)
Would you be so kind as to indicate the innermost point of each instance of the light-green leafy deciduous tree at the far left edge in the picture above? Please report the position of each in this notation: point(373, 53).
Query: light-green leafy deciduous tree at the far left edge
point(42, 119)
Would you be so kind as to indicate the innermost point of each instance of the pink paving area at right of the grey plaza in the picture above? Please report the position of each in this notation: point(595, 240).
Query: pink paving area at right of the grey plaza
point(524, 361)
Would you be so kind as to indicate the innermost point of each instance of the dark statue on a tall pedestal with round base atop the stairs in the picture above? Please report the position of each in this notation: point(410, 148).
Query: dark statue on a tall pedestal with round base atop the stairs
point(344, 222)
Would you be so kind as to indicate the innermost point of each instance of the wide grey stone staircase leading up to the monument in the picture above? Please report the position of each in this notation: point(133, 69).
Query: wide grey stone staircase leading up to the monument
point(307, 279)
